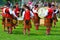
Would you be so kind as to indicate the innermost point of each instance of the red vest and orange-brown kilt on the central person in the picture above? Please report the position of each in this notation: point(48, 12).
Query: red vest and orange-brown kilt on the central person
point(27, 17)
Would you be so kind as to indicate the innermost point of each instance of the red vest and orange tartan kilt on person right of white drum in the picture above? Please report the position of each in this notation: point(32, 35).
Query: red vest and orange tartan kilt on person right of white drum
point(48, 20)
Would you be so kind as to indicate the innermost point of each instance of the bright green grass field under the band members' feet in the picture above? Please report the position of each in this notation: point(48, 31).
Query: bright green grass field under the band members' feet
point(34, 34)
